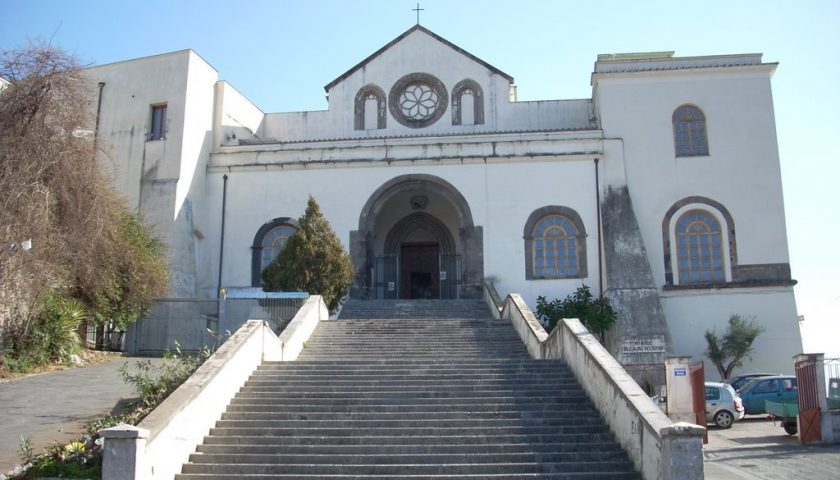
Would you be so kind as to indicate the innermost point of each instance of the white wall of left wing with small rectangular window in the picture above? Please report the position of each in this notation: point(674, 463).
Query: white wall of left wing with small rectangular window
point(162, 179)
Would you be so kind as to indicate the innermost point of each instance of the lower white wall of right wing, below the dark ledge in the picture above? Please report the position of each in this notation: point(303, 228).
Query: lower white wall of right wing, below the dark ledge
point(691, 314)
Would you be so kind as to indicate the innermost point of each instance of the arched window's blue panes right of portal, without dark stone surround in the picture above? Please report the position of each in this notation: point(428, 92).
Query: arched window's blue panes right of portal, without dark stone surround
point(555, 250)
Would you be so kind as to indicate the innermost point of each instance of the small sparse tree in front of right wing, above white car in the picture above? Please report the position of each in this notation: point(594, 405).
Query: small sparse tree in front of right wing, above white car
point(728, 352)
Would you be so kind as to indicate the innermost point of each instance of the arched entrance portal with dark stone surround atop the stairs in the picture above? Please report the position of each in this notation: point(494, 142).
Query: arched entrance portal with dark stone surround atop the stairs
point(416, 239)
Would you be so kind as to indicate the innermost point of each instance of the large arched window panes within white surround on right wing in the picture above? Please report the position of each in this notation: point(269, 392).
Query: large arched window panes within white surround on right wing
point(699, 248)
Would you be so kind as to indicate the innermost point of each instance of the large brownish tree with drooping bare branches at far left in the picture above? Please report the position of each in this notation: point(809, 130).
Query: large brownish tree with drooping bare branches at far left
point(85, 243)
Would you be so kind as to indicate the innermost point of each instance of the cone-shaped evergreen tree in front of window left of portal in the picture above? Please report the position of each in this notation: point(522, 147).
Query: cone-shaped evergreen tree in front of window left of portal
point(313, 260)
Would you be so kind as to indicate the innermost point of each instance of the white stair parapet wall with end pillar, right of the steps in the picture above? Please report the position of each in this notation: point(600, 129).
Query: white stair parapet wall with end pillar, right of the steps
point(659, 448)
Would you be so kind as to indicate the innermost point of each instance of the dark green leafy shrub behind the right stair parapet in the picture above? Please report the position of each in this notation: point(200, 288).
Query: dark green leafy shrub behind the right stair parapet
point(596, 314)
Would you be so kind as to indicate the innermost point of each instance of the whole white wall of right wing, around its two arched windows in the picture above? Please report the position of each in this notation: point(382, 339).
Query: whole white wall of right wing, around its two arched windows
point(741, 172)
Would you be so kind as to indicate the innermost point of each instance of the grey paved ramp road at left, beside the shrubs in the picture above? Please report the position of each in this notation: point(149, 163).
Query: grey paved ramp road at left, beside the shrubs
point(56, 406)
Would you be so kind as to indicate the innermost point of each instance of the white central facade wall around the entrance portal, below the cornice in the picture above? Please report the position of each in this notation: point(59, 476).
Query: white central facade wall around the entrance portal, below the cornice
point(493, 191)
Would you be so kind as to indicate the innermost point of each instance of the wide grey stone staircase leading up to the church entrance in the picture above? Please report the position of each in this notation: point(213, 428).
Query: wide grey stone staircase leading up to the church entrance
point(438, 390)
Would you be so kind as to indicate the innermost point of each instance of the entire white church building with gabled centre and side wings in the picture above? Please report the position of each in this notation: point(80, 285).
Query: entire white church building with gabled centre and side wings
point(663, 190)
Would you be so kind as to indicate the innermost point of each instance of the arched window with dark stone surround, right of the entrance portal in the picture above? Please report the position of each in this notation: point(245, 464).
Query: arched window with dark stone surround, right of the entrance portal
point(555, 244)
